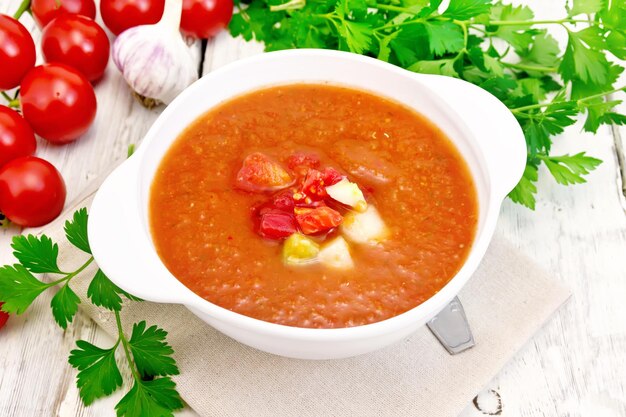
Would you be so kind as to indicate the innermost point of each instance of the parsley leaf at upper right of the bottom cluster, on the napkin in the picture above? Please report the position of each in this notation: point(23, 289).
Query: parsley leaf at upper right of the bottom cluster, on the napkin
point(151, 352)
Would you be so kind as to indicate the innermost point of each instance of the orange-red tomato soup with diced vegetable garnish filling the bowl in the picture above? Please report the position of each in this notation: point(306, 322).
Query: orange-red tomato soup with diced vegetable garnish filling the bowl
point(223, 231)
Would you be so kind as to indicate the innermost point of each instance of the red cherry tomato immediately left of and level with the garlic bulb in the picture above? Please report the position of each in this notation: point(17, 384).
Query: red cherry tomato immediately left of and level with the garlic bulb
point(76, 41)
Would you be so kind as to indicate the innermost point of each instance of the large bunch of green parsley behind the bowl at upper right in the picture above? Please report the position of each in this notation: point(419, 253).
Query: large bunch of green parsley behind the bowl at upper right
point(496, 46)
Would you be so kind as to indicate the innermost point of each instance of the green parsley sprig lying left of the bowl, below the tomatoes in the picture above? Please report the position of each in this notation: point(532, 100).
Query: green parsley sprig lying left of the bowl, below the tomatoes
point(147, 353)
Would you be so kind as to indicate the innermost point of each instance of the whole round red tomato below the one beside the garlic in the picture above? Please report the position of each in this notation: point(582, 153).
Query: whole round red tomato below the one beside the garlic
point(58, 102)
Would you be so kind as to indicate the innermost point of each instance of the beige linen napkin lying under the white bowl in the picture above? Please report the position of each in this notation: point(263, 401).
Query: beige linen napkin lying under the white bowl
point(507, 301)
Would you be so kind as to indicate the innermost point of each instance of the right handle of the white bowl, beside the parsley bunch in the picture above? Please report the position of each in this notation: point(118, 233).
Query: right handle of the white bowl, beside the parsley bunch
point(493, 125)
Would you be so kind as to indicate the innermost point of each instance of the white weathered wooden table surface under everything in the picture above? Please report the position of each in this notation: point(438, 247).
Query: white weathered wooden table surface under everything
point(574, 366)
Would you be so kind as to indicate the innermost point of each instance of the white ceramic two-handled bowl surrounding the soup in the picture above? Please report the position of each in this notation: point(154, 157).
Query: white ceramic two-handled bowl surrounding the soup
point(481, 127)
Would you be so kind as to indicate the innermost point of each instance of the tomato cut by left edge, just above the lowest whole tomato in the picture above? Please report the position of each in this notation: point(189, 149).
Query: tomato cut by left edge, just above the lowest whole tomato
point(16, 136)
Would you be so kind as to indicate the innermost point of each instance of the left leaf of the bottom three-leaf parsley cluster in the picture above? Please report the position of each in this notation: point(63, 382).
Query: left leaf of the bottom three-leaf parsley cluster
point(98, 374)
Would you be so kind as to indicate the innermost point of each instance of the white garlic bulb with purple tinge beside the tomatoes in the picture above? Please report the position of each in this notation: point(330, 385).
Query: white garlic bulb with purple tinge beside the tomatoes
point(154, 59)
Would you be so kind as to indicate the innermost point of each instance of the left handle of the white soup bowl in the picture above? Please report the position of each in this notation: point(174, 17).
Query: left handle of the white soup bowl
point(120, 243)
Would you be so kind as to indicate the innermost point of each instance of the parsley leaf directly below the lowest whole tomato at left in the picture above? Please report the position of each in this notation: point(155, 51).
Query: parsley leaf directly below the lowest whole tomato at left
point(37, 254)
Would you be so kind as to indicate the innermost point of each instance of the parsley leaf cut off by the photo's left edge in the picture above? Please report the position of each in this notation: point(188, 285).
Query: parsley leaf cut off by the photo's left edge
point(19, 288)
